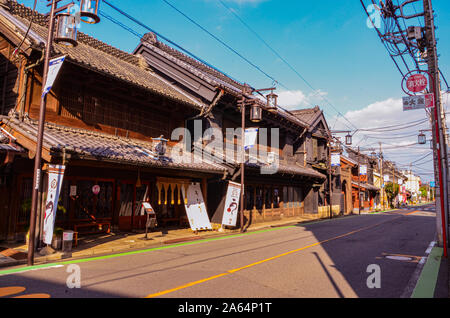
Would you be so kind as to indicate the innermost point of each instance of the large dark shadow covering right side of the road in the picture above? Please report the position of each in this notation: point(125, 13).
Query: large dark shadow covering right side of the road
point(353, 244)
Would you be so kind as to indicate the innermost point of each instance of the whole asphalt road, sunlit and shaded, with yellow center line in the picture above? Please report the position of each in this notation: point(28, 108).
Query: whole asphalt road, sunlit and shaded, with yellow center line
point(364, 256)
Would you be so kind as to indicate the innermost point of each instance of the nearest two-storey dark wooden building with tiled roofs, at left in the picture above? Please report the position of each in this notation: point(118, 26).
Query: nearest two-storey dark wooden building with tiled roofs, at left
point(102, 114)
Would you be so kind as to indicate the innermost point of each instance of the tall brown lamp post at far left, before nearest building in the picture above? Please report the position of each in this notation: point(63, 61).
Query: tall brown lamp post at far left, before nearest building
point(38, 156)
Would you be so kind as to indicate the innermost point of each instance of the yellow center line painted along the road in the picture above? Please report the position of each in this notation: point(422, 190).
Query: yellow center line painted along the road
point(168, 291)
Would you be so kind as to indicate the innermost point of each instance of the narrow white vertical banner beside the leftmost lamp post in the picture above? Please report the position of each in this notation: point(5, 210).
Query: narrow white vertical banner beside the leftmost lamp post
point(55, 178)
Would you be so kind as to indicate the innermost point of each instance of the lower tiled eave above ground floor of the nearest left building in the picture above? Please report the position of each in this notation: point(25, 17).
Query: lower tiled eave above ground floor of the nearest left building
point(85, 144)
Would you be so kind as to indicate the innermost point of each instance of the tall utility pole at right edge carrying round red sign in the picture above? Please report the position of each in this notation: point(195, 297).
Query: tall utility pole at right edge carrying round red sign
point(440, 153)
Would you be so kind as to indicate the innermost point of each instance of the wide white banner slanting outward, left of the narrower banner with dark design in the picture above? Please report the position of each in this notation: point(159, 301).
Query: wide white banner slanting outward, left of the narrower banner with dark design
point(195, 208)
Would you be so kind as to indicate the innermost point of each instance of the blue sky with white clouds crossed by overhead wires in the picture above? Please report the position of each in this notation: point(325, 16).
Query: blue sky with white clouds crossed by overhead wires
point(326, 41)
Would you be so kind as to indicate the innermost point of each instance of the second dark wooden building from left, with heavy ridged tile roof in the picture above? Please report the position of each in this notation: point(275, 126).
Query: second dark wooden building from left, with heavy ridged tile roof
point(292, 190)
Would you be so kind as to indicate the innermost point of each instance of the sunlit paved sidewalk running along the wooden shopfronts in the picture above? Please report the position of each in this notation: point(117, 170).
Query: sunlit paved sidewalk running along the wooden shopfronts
point(96, 245)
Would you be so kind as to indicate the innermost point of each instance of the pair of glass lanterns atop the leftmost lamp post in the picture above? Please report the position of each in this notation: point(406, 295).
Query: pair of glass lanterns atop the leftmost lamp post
point(66, 27)
